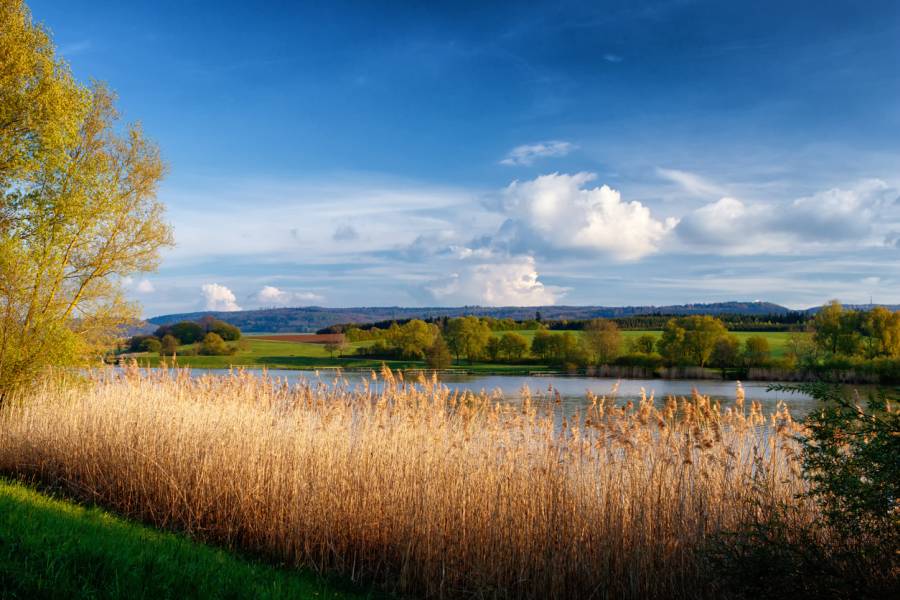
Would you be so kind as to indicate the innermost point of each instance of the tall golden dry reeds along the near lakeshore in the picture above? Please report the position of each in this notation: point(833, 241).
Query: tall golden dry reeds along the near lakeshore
point(429, 491)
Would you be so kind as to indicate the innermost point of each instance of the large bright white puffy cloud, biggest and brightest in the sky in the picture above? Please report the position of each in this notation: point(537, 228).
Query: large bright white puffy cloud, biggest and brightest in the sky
point(563, 214)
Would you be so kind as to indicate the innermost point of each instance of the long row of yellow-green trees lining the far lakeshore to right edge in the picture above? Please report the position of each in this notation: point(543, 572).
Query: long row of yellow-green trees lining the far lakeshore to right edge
point(834, 338)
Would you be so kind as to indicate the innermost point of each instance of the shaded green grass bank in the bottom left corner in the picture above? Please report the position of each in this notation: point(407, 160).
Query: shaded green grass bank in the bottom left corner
point(51, 548)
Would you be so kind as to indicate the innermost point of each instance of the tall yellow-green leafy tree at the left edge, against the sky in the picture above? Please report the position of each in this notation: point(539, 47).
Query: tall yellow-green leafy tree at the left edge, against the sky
point(78, 212)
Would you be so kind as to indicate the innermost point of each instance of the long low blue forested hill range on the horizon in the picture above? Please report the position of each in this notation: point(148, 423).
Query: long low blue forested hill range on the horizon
point(312, 318)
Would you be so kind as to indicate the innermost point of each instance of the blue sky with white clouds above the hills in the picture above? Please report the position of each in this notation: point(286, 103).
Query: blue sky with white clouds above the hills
point(425, 154)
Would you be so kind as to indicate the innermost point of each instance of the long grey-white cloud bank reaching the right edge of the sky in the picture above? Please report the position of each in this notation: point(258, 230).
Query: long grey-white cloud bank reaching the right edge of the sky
point(855, 217)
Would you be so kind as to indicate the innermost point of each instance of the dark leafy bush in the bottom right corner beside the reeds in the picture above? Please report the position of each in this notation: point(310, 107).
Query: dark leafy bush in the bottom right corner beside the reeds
point(850, 458)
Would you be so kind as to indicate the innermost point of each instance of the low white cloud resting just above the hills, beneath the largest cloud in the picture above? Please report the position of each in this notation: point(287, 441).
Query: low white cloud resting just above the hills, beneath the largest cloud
point(509, 282)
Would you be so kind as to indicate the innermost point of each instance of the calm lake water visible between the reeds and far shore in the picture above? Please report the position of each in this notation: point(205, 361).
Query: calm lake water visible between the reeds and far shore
point(573, 390)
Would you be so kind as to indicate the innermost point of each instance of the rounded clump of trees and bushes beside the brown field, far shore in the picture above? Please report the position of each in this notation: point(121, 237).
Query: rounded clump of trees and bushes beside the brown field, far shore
point(209, 336)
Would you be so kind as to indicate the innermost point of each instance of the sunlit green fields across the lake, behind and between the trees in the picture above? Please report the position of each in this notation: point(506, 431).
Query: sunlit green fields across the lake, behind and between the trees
point(271, 352)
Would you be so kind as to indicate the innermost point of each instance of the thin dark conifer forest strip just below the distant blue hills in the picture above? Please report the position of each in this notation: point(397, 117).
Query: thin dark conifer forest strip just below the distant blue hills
point(792, 321)
